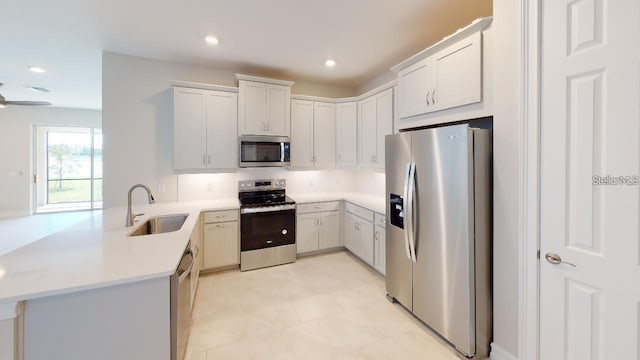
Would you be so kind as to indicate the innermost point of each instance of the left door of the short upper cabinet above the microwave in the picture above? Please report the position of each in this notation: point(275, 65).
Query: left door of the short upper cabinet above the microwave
point(252, 108)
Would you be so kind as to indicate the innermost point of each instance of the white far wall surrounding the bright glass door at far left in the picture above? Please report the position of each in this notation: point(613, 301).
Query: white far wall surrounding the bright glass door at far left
point(16, 141)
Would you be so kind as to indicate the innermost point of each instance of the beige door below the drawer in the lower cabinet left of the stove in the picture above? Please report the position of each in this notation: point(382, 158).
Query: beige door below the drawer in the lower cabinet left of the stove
point(221, 245)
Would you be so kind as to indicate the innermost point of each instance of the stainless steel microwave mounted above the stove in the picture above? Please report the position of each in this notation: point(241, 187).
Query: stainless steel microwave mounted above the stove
point(261, 151)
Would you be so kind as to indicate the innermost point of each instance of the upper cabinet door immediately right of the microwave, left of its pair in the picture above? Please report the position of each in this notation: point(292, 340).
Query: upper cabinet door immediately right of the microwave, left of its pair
point(301, 134)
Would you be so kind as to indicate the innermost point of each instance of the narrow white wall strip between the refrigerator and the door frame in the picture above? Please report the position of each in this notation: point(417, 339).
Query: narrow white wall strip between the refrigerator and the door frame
point(506, 176)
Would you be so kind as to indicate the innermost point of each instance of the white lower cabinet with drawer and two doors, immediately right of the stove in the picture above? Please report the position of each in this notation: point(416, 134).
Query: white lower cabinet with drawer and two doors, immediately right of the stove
point(318, 230)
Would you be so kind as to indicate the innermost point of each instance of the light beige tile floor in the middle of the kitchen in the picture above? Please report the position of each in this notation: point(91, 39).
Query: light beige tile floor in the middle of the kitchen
point(323, 307)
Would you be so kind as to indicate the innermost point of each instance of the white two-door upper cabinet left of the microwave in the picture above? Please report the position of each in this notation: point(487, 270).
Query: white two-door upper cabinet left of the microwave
point(204, 129)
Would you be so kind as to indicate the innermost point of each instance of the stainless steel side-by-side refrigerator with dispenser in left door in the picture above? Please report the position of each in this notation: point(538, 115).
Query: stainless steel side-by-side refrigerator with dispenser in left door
point(438, 187)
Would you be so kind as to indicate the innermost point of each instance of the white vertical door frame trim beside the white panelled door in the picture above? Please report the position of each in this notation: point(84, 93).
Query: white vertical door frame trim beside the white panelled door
point(529, 211)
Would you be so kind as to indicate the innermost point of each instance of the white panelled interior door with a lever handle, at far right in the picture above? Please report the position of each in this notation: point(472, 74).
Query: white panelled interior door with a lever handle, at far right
point(589, 130)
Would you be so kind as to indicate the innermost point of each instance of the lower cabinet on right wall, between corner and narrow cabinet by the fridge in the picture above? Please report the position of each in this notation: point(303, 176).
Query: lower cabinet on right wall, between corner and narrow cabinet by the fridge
point(358, 237)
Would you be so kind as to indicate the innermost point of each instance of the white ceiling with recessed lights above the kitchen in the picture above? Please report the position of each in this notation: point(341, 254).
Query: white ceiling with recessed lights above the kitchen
point(288, 39)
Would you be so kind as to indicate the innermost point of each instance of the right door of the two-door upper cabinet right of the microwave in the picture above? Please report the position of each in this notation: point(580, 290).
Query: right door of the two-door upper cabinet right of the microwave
point(324, 134)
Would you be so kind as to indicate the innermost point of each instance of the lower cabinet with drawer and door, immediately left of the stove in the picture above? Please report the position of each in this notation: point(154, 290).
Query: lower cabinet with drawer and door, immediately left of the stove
point(221, 241)
